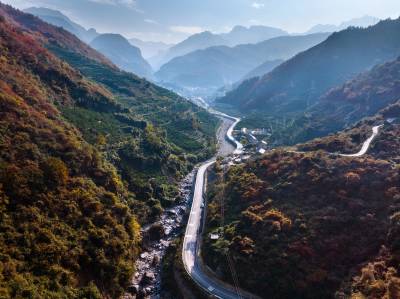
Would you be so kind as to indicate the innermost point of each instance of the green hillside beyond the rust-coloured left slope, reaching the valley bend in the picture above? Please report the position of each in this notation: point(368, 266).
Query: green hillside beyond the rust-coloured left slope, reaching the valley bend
point(149, 132)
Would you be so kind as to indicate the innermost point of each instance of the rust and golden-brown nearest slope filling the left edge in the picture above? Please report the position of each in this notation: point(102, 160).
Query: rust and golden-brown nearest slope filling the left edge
point(66, 229)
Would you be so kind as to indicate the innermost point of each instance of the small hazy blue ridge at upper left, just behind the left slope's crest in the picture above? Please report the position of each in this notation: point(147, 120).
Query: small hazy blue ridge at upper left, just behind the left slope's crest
point(58, 19)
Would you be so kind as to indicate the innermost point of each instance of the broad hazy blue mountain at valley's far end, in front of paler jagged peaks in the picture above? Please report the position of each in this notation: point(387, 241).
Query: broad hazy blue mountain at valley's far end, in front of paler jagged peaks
point(217, 66)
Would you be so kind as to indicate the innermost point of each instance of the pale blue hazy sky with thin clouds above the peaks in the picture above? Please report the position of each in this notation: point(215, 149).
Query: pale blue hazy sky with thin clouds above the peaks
point(173, 20)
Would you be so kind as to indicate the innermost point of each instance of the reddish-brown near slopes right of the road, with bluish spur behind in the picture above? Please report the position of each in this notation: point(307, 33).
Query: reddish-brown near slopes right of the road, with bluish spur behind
point(290, 216)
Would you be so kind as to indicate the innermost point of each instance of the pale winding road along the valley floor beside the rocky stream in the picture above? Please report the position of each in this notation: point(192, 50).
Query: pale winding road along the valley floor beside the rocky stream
point(191, 243)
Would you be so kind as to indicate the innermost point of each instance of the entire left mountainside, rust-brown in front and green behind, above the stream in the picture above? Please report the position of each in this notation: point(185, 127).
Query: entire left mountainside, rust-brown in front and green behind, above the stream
point(82, 161)
